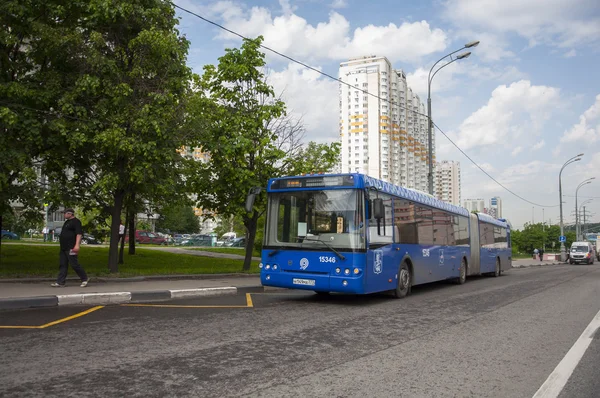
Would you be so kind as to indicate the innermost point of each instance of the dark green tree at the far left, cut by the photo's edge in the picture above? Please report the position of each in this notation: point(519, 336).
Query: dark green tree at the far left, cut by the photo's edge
point(37, 43)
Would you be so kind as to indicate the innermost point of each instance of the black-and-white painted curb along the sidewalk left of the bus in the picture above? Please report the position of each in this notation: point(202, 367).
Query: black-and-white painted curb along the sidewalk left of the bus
point(113, 298)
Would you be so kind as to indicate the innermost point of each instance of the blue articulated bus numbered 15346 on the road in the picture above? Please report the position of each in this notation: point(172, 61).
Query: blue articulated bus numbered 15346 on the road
point(350, 233)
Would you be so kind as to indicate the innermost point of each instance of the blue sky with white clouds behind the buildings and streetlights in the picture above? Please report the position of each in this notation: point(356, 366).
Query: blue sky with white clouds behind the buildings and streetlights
point(525, 101)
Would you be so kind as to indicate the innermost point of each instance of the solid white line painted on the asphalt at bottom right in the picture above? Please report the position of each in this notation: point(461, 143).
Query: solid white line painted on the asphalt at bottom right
point(559, 377)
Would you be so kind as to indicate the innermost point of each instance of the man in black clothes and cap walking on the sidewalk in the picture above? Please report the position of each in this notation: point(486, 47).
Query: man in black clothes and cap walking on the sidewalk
point(70, 239)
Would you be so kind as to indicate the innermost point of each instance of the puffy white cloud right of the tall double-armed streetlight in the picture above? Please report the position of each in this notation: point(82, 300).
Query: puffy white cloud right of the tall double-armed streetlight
point(512, 114)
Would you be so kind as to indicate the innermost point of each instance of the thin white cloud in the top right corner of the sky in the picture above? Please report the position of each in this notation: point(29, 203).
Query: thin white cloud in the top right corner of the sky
point(553, 22)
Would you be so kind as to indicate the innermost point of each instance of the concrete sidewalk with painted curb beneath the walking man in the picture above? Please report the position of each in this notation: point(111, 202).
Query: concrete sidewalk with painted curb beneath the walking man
point(14, 295)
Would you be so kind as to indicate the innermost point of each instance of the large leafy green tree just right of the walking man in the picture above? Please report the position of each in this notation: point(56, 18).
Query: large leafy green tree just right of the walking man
point(123, 115)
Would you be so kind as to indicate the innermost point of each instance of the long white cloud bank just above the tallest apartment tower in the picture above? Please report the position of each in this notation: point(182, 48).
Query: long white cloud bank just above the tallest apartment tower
point(331, 40)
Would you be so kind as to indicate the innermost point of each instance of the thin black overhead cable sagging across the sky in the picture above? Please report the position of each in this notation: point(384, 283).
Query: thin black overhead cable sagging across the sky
point(359, 89)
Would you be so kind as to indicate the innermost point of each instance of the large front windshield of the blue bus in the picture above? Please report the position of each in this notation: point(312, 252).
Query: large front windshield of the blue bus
point(307, 219)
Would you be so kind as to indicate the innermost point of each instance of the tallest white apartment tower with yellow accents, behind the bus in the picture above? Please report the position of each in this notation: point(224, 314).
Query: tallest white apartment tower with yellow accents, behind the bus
point(382, 137)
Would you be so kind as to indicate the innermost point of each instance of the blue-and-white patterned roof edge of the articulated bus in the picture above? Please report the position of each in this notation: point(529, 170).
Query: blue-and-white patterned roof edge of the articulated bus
point(364, 181)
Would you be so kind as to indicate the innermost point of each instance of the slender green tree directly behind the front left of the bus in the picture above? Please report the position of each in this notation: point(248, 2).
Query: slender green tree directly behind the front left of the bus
point(233, 108)
